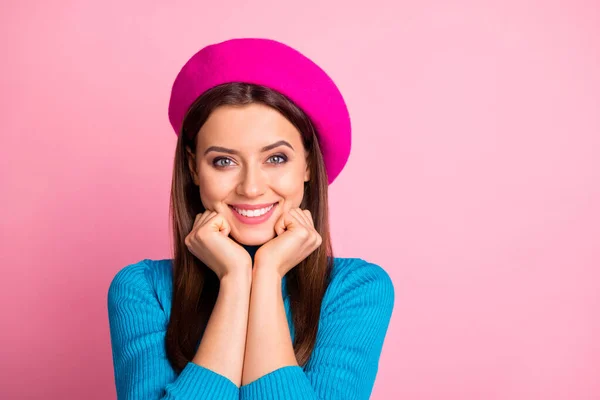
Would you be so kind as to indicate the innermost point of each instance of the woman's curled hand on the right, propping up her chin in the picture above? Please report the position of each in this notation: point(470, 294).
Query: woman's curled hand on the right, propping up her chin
point(296, 239)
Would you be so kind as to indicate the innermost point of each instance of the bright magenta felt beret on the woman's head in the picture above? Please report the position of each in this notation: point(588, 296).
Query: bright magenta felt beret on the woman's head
point(279, 67)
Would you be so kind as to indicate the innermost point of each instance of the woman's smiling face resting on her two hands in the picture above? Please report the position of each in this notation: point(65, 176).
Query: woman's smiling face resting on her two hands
point(250, 156)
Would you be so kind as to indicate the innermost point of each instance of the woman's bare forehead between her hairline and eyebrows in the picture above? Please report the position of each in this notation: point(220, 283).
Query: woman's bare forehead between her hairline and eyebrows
point(249, 126)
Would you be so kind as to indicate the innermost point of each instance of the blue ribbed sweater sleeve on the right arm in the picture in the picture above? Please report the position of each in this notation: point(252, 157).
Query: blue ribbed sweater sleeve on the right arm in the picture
point(350, 338)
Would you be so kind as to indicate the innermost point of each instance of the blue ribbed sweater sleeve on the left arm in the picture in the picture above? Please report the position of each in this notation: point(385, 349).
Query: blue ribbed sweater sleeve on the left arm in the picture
point(138, 328)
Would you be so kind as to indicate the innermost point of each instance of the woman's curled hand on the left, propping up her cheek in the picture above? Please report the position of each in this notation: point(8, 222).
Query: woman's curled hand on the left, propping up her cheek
point(209, 241)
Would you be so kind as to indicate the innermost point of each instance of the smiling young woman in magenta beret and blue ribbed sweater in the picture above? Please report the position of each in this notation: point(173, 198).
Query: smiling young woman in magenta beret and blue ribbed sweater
point(253, 304)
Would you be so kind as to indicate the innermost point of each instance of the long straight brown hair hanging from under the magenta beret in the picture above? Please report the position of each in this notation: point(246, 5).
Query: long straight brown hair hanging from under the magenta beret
point(195, 286)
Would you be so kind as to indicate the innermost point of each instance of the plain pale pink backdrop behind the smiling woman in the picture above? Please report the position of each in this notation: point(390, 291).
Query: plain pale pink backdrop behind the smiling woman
point(474, 180)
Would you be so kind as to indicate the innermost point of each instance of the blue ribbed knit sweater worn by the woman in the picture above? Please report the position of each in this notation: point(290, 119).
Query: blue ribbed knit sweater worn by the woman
point(355, 315)
